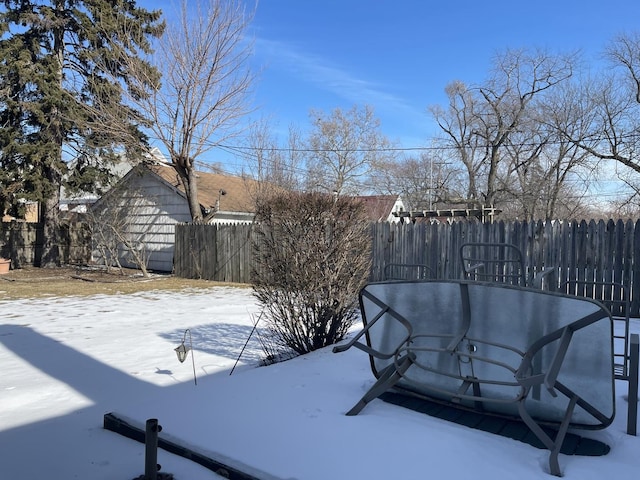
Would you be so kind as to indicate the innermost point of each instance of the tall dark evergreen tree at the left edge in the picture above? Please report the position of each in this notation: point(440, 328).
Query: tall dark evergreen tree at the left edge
point(64, 65)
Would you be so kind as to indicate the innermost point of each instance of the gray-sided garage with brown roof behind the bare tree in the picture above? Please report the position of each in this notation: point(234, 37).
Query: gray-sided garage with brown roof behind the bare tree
point(137, 217)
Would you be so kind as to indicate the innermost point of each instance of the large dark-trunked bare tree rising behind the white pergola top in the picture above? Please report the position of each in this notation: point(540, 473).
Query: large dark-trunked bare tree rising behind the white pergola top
point(480, 121)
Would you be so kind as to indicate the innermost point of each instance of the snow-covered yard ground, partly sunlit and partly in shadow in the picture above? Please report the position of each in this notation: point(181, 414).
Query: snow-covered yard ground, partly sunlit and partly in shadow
point(68, 361)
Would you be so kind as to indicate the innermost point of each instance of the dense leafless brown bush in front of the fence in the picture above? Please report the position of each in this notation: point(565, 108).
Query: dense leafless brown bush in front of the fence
point(312, 258)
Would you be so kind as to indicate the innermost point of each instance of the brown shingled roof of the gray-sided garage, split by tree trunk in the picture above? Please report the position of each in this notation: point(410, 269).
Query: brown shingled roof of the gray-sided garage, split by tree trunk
point(236, 194)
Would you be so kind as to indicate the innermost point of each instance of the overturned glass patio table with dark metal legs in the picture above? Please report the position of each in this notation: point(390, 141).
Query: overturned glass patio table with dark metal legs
point(542, 357)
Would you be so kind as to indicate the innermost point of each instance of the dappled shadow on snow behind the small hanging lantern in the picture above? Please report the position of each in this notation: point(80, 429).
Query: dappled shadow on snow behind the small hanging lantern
point(223, 339)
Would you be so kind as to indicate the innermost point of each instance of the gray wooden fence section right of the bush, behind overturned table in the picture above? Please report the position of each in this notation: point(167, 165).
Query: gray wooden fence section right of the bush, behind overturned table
point(579, 251)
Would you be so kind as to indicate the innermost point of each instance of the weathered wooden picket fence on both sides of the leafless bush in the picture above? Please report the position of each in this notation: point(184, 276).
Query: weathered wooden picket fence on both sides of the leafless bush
point(596, 251)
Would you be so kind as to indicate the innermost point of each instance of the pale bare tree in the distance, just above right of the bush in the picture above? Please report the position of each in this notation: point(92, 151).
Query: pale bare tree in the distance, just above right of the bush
point(342, 147)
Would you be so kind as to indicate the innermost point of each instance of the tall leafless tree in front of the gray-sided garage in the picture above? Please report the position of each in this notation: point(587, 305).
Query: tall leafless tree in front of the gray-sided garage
point(206, 80)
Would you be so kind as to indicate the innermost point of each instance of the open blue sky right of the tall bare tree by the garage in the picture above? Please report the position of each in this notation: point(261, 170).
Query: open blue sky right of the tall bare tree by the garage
point(398, 56)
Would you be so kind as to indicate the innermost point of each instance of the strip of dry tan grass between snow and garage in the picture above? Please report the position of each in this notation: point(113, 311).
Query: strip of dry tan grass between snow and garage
point(62, 282)
